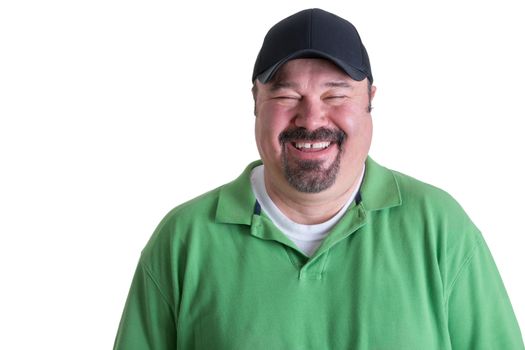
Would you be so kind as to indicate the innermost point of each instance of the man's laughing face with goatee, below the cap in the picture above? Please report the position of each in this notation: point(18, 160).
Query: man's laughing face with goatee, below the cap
point(313, 127)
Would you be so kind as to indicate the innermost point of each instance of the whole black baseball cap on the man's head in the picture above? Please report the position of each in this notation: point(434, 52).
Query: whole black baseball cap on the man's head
point(313, 33)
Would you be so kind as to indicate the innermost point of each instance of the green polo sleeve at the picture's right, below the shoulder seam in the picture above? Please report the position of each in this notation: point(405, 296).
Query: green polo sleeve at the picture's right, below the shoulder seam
point(480, 315)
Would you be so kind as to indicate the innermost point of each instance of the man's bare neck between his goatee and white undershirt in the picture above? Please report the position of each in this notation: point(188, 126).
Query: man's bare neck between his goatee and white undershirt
point(311, 208)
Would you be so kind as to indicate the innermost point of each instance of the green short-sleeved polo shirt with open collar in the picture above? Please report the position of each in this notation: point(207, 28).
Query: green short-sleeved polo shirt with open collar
point(404, 268)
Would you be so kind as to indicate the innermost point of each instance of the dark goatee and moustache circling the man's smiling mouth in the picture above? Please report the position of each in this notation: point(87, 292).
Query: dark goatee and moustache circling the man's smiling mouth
point(311, 176)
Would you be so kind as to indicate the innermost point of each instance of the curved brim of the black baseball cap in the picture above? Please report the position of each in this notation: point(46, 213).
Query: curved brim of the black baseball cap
point(353, 72)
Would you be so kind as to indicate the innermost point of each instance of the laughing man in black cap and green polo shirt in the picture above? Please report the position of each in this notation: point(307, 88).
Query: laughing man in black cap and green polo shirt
point(318, 246)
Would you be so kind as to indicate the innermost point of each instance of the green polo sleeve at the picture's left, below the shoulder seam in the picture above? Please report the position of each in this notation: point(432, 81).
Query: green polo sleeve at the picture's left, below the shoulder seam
point(148, 320)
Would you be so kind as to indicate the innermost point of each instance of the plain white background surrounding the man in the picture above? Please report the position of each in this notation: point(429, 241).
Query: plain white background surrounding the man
point(113, 112)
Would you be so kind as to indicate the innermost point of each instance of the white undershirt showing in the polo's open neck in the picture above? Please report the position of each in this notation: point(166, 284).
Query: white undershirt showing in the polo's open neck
point(306, 237)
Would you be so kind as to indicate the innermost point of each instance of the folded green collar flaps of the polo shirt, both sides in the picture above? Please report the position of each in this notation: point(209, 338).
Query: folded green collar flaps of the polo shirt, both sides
point(379, 190)
